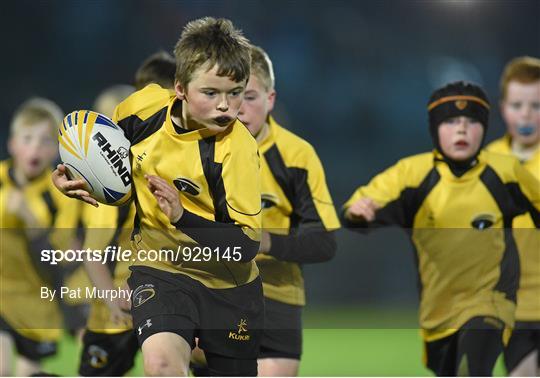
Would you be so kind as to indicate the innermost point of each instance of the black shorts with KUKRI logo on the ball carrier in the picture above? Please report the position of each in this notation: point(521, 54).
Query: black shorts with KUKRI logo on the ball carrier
point(228, 322)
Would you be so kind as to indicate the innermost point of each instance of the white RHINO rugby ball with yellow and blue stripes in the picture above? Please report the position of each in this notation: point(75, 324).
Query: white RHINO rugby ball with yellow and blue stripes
point(94, 149)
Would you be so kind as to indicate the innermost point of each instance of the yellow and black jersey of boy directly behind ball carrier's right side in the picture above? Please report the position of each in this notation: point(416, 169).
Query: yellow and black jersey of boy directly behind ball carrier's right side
point(296, 206)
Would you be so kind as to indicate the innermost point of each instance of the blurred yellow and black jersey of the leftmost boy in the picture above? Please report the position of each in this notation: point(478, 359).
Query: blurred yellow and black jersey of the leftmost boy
point(22, 273)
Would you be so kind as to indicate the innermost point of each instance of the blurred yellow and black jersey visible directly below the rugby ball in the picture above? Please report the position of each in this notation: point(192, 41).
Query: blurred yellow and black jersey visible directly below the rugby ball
point(108, 225)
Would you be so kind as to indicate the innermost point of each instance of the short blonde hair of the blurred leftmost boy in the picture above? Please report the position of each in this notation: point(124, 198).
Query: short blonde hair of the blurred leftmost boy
point(36, 110)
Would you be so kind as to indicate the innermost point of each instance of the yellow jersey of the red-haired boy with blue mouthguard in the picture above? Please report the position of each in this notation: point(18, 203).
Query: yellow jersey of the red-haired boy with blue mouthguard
point(528, 243)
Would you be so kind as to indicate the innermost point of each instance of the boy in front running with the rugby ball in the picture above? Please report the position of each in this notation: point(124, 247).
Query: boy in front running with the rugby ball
point(195, 172)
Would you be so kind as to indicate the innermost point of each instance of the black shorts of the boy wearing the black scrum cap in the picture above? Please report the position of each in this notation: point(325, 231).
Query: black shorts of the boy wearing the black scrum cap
point(471, 351)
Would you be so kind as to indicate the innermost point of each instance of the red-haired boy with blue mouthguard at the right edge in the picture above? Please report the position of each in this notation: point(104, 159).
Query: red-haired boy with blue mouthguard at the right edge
point(520, 108)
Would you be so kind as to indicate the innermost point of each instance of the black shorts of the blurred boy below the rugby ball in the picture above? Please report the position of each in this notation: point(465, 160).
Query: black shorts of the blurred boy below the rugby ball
point(110, 355)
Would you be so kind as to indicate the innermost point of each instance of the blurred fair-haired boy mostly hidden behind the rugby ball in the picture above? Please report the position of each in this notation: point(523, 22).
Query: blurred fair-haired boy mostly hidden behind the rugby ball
point(109, 343)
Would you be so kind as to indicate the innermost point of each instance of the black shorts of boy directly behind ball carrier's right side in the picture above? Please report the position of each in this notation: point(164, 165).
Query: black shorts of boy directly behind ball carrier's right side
point(282, 335)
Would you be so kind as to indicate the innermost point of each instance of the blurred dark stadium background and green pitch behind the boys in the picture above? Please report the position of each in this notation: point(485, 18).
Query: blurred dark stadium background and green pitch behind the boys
point(352, 78)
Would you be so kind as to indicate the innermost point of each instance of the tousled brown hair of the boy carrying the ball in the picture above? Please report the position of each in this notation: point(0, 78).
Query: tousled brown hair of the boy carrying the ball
point(214, 42)
